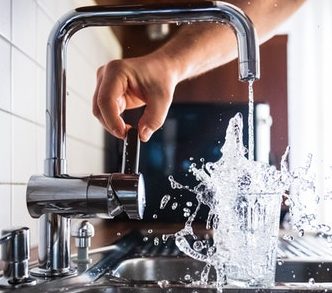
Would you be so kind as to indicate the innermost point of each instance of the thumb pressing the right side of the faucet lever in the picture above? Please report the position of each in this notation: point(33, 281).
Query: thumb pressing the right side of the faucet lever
point(153, 117)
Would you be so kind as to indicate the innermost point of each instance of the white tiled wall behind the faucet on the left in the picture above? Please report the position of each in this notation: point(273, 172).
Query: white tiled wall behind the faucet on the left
point(24, 30)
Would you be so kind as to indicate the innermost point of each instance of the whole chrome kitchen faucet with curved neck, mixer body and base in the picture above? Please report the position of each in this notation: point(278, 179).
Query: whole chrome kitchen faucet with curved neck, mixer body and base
point(56, 196)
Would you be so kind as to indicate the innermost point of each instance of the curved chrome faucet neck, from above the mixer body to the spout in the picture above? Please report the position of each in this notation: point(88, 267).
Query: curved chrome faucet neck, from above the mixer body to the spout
point(55, 163)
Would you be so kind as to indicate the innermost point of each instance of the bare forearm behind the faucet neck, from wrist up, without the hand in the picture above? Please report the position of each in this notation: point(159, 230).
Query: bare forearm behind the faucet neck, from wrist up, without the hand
point(200, 47)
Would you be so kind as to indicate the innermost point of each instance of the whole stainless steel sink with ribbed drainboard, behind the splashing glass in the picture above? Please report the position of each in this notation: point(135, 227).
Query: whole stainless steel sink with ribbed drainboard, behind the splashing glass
point(135, 265)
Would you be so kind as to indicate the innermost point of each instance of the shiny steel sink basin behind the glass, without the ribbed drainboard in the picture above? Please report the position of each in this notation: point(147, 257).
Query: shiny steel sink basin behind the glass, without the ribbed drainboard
point(184, 270)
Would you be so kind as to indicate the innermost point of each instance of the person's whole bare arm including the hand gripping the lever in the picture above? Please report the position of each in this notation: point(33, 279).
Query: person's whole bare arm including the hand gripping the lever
point(151, 80)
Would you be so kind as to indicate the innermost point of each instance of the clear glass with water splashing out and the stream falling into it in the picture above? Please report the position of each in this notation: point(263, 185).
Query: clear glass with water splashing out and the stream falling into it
point(244, 198)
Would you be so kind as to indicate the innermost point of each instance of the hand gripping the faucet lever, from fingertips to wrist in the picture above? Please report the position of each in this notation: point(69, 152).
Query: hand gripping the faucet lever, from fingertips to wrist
point(131, 83)
